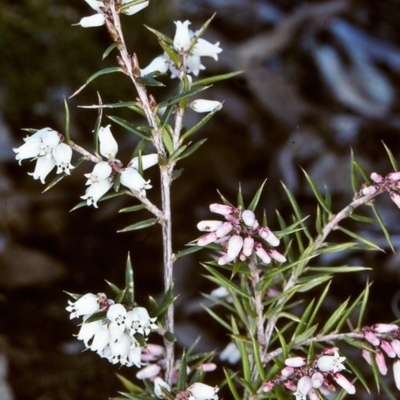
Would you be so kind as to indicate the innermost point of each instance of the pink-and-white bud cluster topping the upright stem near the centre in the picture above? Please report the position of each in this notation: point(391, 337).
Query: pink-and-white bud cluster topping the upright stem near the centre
point(241, 235)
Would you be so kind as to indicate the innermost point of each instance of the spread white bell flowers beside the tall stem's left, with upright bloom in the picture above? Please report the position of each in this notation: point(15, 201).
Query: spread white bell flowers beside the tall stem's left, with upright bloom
point(100, 180)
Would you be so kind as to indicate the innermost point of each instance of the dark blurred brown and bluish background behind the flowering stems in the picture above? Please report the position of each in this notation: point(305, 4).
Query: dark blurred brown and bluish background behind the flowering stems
point(320, 78)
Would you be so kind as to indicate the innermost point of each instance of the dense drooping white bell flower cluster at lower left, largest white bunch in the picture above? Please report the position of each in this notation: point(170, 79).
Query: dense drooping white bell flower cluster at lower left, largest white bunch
point(113, 336)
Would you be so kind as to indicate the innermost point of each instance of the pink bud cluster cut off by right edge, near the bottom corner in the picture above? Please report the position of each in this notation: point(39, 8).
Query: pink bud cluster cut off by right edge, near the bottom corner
point(385, 338)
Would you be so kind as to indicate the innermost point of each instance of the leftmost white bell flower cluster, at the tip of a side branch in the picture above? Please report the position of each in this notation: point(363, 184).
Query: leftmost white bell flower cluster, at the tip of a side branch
point(45, 145)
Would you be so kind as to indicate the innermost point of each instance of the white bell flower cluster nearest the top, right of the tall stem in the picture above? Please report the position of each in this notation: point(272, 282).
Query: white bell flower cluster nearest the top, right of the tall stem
point(190, 55)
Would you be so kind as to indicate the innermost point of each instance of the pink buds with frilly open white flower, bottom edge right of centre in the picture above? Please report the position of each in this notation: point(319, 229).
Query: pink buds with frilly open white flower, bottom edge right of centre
point(306, 379)
